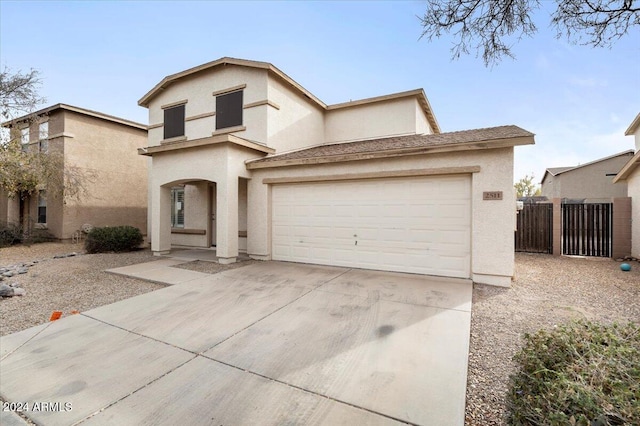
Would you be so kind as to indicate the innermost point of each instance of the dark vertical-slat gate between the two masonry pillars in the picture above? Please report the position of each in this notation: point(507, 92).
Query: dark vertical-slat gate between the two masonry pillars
point(586, 229)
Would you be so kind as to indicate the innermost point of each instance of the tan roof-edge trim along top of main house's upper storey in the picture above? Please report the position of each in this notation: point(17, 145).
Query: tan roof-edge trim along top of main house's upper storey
point(170, 79)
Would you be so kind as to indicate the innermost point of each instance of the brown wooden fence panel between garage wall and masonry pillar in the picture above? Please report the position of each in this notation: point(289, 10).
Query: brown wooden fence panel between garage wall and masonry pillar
point(535, 229)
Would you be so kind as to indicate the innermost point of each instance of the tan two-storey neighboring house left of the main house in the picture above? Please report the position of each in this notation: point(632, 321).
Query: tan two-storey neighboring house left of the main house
point(103, 149)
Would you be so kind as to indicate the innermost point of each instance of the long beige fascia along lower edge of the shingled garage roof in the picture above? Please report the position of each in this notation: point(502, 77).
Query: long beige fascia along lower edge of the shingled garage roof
point(467, 146)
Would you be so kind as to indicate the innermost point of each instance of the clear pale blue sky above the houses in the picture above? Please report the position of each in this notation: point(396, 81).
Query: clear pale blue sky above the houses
point(106, 55)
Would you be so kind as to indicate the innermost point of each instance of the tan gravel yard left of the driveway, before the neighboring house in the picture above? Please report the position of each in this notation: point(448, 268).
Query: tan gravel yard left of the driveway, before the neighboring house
point(65, 284)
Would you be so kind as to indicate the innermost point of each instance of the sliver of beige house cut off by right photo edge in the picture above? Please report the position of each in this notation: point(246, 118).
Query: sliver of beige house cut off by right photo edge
point(630, 175)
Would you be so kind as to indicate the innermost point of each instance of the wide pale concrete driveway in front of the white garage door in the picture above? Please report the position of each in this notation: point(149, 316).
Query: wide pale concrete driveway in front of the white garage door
point(270, 343)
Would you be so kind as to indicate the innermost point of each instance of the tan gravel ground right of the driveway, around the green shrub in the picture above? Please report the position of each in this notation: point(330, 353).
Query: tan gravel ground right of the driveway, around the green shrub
point(547, 291)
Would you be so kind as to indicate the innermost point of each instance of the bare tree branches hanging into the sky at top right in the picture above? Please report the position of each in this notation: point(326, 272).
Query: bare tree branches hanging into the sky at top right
point(493, 26)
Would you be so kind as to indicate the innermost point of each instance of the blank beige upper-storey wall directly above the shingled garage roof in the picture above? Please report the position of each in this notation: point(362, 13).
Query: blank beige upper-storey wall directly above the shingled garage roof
point(379, 119)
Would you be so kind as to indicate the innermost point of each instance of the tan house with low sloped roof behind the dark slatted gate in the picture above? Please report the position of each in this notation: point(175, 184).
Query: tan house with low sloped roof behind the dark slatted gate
point(591, 182)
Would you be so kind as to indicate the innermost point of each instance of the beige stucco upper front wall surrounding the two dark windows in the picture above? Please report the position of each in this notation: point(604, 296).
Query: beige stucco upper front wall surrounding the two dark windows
point(198, 90)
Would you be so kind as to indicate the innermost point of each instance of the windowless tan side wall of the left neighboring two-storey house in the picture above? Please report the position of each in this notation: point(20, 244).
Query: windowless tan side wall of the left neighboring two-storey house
point(106, 153)
